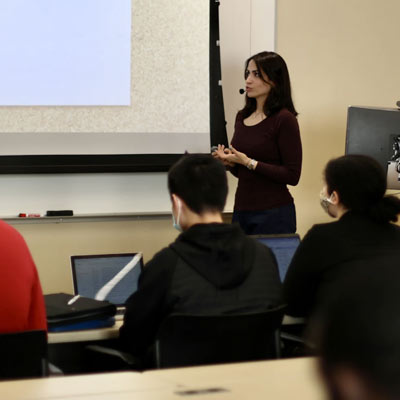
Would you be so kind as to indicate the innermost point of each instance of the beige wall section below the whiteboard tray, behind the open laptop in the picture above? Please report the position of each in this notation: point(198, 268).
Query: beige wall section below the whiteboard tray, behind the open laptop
point(52, 244)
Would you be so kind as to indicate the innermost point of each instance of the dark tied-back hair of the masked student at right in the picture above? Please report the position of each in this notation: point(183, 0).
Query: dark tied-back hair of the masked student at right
point(360, 182)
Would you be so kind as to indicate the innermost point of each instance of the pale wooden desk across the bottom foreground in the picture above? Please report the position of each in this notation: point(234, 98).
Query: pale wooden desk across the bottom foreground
point(278, 380)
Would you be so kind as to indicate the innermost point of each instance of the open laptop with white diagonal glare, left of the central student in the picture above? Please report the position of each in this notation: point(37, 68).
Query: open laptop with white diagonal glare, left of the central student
point(112, 277)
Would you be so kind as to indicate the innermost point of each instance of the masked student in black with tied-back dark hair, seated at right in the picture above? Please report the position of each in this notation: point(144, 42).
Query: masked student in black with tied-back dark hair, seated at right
point(362, 237)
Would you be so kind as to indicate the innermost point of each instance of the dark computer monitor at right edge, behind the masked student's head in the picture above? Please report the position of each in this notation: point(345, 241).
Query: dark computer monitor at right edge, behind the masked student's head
point(376, 132)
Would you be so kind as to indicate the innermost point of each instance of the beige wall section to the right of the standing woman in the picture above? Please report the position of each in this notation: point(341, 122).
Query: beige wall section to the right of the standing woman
point(340, 53)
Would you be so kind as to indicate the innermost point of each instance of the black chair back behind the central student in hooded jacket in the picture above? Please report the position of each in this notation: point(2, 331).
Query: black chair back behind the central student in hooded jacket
point(185, 340)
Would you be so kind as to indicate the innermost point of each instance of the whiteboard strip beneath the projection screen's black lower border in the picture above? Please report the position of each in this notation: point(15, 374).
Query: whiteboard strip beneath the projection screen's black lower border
point(84, 193)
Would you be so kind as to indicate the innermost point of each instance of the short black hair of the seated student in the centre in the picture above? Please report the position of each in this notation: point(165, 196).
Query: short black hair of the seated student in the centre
point(200, 181)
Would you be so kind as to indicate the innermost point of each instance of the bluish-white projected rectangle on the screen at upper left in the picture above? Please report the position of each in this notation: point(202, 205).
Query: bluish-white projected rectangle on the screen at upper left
point(74, 52)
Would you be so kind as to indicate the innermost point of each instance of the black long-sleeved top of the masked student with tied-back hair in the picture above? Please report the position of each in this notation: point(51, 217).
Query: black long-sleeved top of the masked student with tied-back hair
point(331, 254)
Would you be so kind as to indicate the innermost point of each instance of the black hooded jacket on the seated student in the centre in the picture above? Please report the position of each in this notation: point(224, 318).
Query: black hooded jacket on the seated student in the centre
point(209, 269)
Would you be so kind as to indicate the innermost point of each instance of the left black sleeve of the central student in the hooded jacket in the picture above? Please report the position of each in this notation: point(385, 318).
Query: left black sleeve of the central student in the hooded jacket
point(146, 308)
